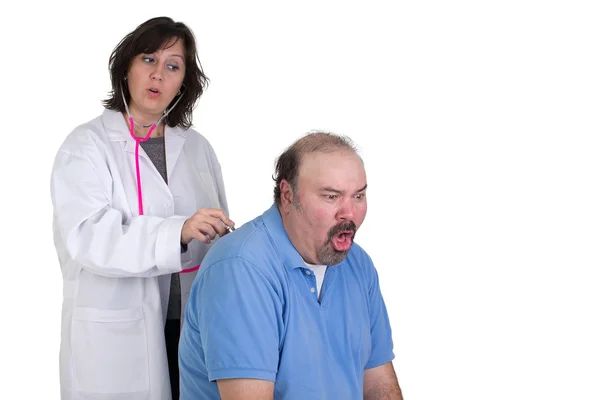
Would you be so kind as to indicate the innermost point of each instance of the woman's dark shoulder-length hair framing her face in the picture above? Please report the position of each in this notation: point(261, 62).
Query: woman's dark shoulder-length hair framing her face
point(148, 38)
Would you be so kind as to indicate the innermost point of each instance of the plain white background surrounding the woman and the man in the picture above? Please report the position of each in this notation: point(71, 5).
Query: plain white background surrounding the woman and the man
point(478, 122)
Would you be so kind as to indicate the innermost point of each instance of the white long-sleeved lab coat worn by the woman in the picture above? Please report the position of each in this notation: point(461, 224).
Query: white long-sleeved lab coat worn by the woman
point(116, 265)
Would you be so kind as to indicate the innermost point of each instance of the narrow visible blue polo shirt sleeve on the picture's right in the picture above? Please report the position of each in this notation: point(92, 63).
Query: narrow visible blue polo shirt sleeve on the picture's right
point(381, 332)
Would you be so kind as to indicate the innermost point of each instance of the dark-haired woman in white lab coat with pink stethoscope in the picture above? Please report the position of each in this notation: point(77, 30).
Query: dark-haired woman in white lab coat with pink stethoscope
point(138, 196)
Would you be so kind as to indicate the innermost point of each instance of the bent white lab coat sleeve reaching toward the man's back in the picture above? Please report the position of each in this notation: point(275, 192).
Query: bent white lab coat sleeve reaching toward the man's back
point(96, 235)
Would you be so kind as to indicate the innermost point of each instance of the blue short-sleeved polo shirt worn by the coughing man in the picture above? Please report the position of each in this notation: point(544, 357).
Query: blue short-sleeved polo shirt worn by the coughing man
point(253, 312)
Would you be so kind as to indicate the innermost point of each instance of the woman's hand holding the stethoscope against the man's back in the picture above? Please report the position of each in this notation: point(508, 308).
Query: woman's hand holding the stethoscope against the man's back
point(205, 225)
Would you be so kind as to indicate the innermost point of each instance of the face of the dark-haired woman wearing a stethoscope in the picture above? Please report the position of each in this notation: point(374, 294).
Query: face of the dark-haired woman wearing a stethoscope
point(154, 80)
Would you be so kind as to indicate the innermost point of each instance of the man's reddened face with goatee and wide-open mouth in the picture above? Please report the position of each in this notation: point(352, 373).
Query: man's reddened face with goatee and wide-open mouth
point(328, 206)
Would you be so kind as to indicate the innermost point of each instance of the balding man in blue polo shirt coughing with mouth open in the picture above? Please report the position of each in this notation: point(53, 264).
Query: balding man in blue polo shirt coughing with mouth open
point(288, 307)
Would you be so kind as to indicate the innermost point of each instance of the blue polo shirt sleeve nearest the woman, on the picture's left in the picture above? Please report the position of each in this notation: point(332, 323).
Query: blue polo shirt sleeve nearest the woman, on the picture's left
point(240, 321)
